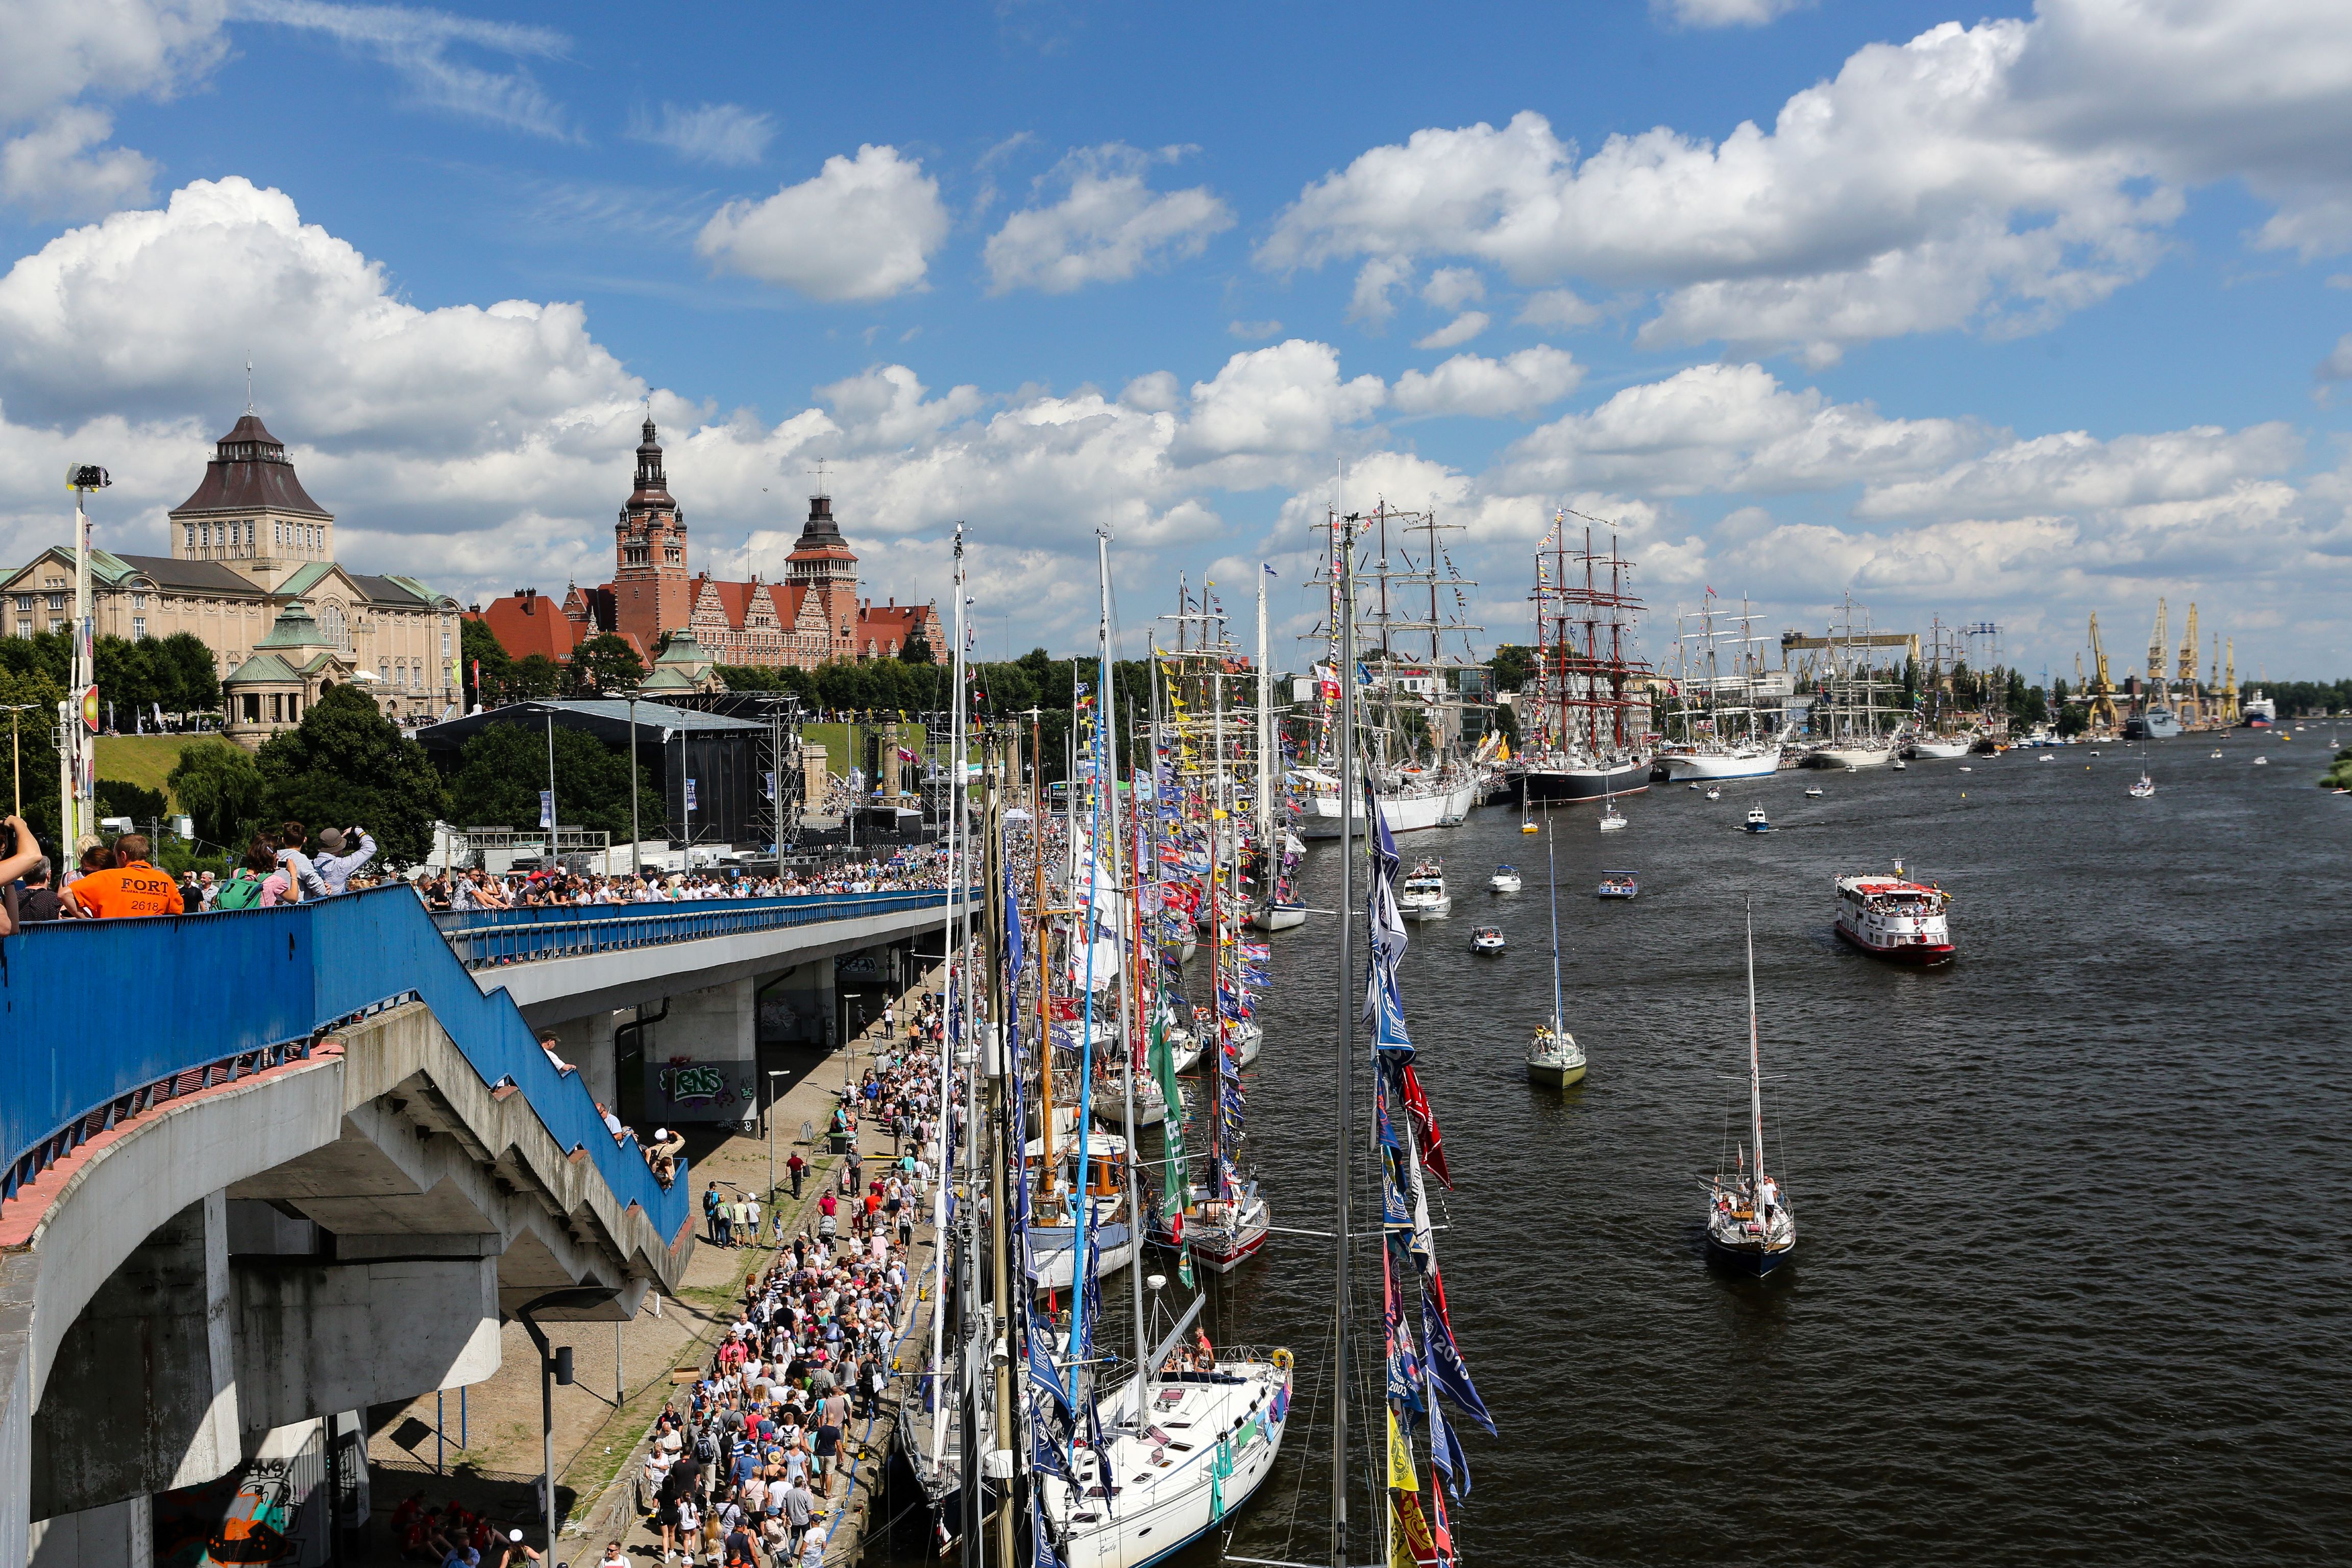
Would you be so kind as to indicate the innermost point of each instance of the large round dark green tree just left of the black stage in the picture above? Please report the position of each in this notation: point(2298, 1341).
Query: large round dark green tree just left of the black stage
point(347, 765)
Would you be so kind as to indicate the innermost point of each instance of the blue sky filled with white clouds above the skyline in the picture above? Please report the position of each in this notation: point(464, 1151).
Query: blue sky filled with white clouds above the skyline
point(2000, 316)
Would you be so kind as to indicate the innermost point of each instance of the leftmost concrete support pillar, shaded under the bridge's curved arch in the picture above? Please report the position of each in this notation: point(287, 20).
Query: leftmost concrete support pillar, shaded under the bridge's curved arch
point(145, 1388)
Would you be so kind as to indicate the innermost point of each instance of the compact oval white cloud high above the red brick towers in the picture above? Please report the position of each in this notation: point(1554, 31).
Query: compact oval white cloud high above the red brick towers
point(862, 229)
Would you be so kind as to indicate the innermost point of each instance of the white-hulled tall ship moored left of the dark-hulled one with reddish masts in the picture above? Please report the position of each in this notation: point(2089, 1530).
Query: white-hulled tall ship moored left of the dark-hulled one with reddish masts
point(1408, 713)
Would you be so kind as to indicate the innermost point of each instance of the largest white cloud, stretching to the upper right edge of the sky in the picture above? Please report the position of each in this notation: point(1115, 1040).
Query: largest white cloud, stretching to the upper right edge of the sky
point(1991, 177)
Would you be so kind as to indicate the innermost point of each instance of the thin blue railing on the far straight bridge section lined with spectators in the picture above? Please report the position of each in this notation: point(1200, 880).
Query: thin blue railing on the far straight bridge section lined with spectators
point(483, 939)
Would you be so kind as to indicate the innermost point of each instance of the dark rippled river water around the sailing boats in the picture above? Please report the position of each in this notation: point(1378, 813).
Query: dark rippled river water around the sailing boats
point(2071, 1280)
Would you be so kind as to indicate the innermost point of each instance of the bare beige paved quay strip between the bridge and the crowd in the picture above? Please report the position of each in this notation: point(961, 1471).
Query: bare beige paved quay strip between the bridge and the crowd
point(624, 1372)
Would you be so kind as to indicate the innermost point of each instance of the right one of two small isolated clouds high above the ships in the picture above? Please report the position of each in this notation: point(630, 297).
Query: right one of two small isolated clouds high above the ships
point(1107, 227)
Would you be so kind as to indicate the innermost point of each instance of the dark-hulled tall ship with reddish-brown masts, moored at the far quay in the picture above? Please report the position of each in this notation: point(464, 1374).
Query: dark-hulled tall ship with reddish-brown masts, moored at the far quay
point(1586, 709)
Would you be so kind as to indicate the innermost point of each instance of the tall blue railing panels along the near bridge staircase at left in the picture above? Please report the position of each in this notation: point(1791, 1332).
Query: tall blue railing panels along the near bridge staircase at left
point(102, 1019)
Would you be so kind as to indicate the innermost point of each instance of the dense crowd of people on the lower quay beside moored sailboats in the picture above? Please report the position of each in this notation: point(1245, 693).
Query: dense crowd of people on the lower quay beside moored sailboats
point(747, 1468)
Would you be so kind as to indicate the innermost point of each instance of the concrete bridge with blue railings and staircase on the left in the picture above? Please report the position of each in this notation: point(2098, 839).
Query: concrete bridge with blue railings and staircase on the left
point(267, 1170)
